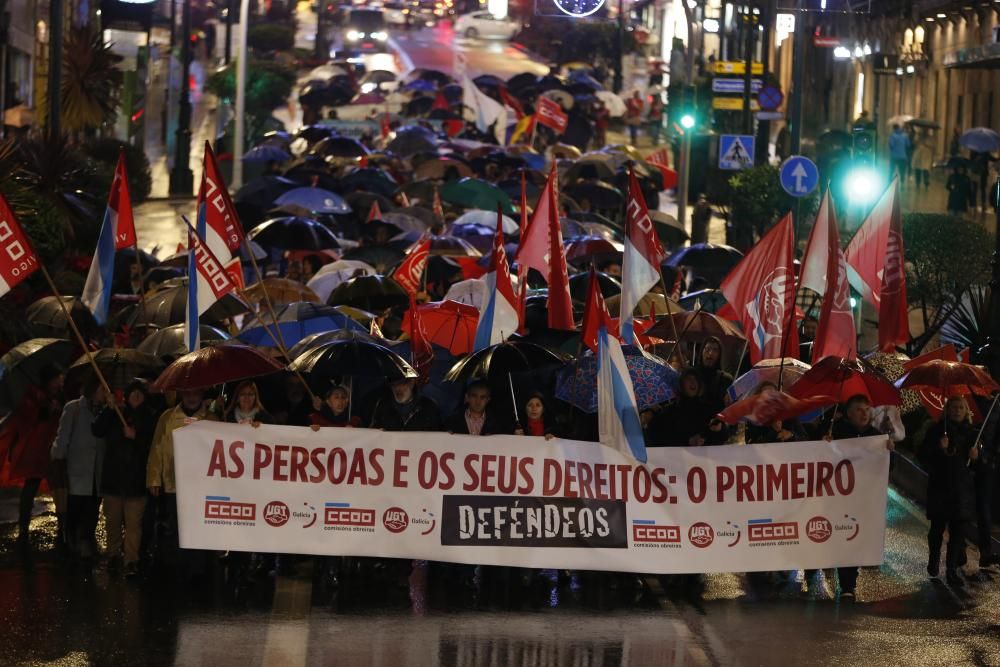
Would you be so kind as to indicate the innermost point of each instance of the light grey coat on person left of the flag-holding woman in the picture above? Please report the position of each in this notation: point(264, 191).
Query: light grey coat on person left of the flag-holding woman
point(80, 448)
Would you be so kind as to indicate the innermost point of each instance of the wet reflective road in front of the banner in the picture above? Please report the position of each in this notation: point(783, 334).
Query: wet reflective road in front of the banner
point(53, 612)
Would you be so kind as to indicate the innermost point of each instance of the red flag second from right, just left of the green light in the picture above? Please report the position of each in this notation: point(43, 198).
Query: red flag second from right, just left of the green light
point(824, 270)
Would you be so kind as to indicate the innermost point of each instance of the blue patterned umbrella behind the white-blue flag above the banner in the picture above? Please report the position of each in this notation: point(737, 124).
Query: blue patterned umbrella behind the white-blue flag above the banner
point(653, 380)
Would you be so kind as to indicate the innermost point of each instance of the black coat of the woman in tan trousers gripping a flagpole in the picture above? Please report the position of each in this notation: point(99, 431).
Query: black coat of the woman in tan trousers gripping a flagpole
point(124, 471)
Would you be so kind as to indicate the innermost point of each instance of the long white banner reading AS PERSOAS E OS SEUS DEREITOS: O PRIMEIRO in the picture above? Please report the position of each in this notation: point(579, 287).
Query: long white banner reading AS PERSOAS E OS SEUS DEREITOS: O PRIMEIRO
point(520, 501)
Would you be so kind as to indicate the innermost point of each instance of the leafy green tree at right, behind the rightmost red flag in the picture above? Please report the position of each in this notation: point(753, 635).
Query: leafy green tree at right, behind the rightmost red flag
point(945, 257)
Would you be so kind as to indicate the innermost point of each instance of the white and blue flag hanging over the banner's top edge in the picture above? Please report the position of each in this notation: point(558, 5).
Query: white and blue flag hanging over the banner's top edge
point(617, 413)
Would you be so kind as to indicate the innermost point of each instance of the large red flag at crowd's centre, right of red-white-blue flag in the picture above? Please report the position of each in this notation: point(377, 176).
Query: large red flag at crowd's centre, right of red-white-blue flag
point(542, 249)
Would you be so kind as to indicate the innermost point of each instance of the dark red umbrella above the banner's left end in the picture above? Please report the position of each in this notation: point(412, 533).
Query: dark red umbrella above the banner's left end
point(211, 366)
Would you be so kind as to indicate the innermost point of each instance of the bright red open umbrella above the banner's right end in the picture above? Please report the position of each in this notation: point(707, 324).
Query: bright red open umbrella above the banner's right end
point(842, 378)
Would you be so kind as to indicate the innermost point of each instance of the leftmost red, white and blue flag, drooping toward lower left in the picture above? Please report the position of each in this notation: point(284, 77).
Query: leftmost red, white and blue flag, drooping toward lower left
point(117, 233)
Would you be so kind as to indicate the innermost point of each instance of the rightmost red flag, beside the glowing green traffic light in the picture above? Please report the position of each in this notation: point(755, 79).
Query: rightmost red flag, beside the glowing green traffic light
point(876, 254)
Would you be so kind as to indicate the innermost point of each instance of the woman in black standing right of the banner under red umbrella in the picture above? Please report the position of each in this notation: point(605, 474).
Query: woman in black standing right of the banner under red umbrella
point(947, 449)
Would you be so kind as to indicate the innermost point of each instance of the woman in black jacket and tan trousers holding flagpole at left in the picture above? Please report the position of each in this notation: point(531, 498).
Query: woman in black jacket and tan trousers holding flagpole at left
point(123, 478)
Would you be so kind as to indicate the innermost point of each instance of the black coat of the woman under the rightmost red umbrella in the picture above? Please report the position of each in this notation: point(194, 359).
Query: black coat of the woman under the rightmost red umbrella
point(950, 483)
